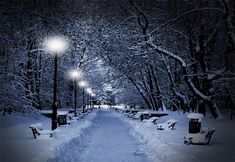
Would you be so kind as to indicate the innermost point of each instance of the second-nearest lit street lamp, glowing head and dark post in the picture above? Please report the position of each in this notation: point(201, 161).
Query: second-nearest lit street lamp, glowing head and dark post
point(75, 75)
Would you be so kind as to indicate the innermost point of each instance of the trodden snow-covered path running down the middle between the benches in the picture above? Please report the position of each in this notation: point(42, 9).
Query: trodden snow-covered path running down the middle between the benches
point(107, 140)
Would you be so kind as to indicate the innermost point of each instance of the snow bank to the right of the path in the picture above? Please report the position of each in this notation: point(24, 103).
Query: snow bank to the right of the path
point(168, 145)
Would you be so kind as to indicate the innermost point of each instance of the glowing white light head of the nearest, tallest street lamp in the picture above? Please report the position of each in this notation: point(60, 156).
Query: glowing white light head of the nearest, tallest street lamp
point(56, 45)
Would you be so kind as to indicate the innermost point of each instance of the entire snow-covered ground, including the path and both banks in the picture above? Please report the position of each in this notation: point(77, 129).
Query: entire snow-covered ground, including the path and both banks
point(106, 135)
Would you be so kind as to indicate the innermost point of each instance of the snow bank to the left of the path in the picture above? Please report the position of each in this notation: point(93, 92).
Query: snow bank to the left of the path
point(17, 139)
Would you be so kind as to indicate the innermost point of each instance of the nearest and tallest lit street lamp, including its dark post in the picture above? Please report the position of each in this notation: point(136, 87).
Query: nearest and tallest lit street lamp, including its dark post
point(55, 46)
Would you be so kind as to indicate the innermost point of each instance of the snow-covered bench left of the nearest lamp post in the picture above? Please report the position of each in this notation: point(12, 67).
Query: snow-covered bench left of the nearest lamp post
point(37, 130)
